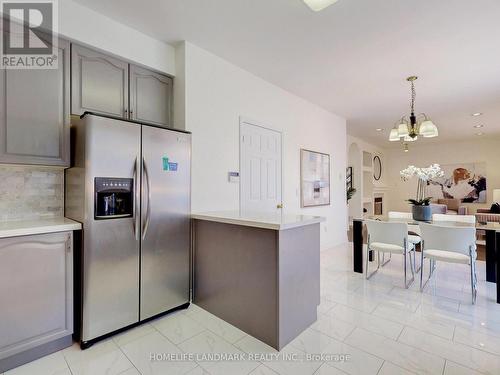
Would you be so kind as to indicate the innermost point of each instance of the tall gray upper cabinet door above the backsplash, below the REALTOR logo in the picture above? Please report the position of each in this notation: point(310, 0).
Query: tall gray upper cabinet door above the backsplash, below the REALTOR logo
point(34, 113)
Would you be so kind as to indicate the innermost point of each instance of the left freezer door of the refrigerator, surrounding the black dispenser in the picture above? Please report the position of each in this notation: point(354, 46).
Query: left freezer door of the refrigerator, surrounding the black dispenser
point(111, 247)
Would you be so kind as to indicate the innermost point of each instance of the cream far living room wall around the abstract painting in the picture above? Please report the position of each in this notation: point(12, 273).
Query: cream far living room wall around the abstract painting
point(422, 155)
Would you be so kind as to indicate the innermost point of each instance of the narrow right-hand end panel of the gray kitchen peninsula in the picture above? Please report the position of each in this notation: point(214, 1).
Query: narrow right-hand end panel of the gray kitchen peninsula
point(299, 280)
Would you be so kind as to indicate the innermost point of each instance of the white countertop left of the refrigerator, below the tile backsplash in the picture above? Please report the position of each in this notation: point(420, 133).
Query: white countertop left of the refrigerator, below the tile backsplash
point(15, 228)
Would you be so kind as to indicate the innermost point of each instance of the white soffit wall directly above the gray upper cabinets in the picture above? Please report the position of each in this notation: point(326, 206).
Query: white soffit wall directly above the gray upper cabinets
point(86, 26)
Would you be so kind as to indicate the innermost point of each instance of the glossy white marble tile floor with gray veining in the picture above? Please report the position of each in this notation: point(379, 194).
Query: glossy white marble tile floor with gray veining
point(363, 327)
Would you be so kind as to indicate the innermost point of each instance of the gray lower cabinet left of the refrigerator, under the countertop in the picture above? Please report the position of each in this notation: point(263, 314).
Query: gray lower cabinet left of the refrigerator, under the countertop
point(36, 294)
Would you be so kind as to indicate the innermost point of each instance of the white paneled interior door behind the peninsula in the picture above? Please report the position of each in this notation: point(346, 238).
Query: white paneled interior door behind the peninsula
point(260, 169)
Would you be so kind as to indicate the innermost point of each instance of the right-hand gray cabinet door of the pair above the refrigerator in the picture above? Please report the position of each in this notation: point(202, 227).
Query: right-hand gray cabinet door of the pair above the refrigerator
point(150, 96)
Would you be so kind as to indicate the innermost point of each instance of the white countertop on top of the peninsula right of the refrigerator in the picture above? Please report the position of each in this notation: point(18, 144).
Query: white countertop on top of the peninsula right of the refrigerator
point(259, 220)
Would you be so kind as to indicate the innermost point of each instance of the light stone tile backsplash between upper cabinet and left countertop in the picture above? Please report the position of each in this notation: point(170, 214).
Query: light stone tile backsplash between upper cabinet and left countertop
point(30, 192)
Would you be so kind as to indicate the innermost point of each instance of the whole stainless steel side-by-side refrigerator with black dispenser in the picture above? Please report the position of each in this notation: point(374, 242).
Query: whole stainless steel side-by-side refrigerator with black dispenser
point(129, 185)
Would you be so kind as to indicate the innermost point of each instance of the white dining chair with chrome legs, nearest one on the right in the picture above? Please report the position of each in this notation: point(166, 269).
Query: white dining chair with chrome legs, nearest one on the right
point(451, 245)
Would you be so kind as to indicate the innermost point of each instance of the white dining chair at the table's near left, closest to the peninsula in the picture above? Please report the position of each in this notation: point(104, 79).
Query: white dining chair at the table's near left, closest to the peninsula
point(392, 238)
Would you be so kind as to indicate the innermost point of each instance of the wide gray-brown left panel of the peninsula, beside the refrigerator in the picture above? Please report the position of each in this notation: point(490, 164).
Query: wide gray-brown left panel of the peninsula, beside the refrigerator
point(235, 276)
